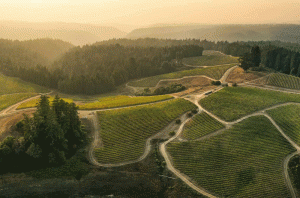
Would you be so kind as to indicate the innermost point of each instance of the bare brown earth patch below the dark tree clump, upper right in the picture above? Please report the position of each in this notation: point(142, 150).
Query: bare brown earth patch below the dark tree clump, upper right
point(238, 75)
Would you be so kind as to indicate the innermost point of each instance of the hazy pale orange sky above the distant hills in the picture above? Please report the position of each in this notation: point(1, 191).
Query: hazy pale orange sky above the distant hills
point(146, 12)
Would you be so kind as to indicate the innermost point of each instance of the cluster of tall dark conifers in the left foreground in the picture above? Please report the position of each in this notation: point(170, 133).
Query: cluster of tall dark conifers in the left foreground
point(51, 136)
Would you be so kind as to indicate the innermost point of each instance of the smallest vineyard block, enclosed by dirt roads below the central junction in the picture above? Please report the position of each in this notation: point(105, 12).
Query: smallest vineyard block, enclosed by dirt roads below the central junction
point(202, 124)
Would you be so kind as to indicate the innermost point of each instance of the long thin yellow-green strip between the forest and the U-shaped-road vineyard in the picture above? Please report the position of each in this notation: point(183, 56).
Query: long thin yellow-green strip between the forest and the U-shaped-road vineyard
point(121, 101)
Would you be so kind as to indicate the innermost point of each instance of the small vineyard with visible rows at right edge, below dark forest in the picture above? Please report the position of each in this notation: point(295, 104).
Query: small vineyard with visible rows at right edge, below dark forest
point(284, 81)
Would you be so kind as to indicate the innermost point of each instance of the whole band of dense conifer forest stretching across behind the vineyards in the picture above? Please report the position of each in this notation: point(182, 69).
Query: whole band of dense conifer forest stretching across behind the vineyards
point(99, 68)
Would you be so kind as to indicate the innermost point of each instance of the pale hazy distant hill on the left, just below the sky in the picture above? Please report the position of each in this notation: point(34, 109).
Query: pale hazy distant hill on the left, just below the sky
point(75, 33)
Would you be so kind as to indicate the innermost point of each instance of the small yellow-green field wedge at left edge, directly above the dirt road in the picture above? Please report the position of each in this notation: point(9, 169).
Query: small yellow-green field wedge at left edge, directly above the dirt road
point(10, 99)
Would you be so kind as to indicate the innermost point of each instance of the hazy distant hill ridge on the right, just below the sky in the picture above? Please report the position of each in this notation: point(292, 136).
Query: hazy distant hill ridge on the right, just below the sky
point(284, 32)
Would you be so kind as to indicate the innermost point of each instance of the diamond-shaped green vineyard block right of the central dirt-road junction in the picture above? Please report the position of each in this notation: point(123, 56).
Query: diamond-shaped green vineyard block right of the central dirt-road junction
point(232, 103)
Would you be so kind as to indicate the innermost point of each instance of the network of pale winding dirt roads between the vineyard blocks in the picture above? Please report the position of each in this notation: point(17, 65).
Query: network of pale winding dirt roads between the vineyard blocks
point(92, 115)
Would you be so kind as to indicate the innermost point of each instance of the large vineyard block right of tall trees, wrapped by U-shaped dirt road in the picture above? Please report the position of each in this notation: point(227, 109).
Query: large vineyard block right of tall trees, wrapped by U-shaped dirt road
point(124, 131)
